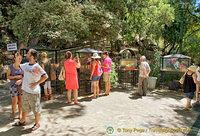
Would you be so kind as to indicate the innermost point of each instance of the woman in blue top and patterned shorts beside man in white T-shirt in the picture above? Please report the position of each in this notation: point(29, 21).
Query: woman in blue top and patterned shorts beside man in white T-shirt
point(15, 75)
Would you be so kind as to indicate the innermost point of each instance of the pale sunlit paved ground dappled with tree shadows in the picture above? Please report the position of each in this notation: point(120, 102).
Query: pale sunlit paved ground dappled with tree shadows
point(160, 113)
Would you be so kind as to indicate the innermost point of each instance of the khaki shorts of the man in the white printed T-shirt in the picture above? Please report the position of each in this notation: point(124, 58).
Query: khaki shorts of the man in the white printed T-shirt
point(31, 102)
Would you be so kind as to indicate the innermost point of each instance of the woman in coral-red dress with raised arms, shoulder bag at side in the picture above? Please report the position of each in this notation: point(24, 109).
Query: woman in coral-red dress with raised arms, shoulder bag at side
point(71, 77)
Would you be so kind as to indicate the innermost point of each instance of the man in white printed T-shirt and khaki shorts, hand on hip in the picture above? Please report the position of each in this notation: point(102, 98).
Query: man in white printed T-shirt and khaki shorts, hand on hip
point(33, 76)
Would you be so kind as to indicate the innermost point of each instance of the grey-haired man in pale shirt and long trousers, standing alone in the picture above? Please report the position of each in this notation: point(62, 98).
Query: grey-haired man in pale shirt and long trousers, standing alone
point(143, 75)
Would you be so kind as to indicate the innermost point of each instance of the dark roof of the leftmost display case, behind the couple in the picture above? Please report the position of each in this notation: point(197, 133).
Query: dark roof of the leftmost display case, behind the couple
point(40, 48)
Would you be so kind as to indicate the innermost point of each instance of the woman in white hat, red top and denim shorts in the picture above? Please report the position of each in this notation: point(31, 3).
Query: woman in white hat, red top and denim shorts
point(96, 73)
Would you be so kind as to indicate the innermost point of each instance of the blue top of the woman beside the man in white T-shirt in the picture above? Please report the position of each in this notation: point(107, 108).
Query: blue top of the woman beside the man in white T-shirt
point(14, 72)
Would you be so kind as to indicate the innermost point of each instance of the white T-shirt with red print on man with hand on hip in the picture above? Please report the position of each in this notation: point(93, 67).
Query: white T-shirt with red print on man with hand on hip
point(32, 74)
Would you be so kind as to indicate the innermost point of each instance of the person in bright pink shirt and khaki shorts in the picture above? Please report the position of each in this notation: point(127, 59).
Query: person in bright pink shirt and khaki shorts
point(107, 71)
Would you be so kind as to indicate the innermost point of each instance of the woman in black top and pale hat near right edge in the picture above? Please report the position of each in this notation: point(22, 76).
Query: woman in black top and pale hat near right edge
point(189, 85)
